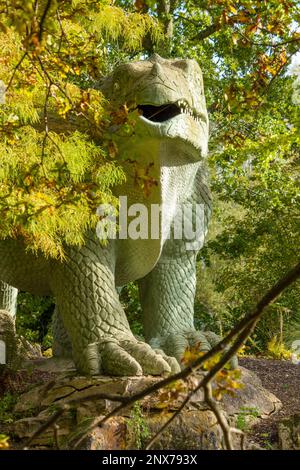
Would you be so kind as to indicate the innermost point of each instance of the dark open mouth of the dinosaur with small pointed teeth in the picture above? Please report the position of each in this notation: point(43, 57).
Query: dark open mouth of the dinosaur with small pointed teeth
point(166, 111)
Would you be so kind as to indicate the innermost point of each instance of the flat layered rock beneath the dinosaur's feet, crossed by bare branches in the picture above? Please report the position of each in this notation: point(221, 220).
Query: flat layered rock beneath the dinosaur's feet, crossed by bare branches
point(195, 428)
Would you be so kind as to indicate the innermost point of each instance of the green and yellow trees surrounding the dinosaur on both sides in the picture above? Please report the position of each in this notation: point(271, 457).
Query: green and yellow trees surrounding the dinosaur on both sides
point(54, 124)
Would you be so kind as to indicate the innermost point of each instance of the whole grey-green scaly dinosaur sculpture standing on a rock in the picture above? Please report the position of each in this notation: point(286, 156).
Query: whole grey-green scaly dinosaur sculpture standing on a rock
point(170, 139)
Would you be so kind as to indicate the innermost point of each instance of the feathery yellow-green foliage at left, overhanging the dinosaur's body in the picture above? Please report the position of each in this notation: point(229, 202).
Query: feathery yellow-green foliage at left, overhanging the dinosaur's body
point(56, 166)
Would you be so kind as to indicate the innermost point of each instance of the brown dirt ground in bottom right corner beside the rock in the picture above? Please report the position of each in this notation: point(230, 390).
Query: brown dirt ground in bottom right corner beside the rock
point(283, 379)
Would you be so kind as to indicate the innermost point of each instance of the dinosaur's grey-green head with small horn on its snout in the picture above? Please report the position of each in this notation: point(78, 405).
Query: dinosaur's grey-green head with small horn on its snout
point(169, 95)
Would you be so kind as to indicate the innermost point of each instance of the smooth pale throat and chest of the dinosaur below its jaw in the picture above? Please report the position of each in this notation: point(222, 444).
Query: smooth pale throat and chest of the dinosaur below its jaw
point(162, 173)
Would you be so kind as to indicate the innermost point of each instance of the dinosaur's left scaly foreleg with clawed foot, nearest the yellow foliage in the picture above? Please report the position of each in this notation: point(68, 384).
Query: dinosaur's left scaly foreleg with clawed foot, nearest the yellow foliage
point(89, 305)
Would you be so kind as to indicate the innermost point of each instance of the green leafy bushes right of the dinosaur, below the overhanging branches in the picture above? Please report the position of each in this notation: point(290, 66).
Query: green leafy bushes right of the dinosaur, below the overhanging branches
point(258, 240)
